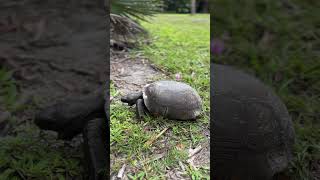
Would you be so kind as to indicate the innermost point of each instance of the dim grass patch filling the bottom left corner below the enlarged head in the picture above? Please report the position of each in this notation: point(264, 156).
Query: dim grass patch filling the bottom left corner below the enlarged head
point(25, 157)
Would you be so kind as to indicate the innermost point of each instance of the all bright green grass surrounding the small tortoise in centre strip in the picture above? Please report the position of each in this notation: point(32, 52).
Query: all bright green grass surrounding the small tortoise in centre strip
point(180, 44)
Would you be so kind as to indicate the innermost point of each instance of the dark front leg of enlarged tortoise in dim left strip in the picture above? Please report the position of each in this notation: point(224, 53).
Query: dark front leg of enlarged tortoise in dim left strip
point(95, 148)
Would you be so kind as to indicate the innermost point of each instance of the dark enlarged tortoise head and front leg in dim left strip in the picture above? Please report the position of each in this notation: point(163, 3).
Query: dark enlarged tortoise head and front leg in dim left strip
point(87, 115)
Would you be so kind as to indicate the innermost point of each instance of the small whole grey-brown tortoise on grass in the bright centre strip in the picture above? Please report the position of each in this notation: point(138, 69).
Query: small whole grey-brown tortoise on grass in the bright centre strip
point(169, 99)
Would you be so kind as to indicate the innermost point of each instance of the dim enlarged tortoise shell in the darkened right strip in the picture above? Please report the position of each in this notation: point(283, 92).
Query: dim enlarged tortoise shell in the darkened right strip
point(253, 132)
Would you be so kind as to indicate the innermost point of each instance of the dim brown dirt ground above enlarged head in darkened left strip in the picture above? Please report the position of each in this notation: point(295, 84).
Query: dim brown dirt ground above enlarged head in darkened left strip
point(56, 50)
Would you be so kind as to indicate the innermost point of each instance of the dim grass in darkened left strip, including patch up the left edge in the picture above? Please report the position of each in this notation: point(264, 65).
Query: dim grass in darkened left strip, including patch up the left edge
point(28, 154)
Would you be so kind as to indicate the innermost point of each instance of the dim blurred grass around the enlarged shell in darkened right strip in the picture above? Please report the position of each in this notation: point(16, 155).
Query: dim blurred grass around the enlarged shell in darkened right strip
point(279, 45)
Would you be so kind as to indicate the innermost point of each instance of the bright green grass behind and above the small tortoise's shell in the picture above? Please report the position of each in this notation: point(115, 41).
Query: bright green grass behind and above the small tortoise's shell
point(181, 44)
